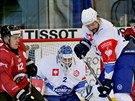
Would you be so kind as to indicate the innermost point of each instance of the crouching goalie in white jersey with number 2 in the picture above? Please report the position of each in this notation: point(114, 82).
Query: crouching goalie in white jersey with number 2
point(64, 76)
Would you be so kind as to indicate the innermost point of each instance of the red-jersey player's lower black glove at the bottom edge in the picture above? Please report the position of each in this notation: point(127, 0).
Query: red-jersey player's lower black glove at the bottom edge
point(23, 96)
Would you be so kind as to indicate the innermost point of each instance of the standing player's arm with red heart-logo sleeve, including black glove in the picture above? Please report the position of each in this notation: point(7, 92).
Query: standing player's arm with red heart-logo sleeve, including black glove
point(107, 49)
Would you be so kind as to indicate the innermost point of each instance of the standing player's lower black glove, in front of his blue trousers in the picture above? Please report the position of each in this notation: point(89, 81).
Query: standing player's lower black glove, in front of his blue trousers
point(106, 89)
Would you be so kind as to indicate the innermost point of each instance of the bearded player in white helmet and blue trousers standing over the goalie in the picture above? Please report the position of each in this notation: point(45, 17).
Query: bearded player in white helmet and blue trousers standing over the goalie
point(113, 49)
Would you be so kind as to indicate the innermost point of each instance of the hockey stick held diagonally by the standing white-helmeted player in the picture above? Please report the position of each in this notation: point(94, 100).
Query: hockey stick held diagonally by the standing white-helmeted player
point(95, 76)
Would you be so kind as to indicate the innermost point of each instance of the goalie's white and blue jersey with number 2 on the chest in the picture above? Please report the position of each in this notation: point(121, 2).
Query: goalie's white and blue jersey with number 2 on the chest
point(58, 80)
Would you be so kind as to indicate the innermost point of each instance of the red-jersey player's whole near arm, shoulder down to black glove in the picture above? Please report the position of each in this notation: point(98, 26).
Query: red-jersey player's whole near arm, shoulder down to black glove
point(7, 82)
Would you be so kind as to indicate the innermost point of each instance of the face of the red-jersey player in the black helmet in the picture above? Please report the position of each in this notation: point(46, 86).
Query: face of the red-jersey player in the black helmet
point(14, 41)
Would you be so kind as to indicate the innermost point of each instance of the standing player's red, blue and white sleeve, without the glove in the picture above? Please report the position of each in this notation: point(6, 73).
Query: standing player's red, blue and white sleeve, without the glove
point(107, 49)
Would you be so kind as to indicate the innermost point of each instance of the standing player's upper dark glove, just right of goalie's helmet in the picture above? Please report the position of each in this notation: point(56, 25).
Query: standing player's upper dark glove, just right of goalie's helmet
point(82, 48)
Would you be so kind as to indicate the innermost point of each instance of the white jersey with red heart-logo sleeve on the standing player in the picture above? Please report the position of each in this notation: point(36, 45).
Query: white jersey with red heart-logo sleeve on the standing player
point(107, 42)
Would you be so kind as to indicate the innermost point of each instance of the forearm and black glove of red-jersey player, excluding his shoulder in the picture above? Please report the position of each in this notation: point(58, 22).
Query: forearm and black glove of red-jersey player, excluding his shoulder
point(10, 86)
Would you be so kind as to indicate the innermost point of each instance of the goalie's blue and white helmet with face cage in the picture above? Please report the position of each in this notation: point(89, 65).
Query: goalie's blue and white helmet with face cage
point(65, 56)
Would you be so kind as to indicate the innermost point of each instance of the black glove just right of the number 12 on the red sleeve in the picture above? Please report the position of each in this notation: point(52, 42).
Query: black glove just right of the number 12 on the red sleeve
point(31, 68)
